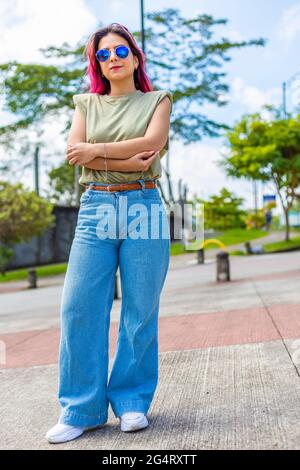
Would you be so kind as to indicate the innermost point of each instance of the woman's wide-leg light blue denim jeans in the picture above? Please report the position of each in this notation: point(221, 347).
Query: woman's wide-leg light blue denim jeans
point(129, 230)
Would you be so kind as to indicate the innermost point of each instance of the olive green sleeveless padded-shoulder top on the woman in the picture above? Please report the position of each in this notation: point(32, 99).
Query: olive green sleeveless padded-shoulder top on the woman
point(117, 118)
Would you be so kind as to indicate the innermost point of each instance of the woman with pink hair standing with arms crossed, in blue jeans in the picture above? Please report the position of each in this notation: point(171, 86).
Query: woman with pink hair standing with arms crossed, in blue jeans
point(118, 134)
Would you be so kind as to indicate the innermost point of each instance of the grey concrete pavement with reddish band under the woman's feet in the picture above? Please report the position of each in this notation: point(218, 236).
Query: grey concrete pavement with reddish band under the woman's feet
point(229, 361)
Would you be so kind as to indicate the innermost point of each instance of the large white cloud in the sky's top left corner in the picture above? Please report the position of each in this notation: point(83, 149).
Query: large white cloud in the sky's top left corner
point(27, 25)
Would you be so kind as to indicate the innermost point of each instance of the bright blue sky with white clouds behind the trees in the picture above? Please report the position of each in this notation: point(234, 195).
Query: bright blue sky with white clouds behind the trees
point(255, 74)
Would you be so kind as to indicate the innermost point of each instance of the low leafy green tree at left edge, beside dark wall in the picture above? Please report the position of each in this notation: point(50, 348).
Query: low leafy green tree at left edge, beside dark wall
point(23, 214)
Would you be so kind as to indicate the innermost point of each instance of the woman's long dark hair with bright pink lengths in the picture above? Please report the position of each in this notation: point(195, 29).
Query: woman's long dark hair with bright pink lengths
point(101, 85)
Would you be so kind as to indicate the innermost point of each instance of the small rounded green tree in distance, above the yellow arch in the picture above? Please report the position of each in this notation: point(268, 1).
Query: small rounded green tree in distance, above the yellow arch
point(223, 211)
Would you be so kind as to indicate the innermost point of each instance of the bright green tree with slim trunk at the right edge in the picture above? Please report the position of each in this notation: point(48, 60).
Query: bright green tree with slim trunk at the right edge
point(267, 150)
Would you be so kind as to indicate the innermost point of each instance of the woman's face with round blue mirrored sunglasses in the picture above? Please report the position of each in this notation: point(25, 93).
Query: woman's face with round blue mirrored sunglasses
point(127, 65)
